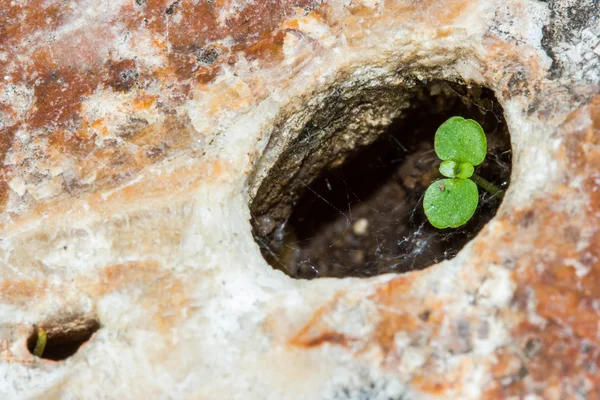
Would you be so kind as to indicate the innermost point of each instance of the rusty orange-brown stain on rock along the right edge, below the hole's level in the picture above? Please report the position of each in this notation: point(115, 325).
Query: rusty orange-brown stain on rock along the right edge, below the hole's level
point(561, 356)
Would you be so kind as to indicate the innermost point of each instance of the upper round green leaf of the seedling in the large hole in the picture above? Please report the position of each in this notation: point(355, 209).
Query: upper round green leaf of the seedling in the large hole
point(461, 140)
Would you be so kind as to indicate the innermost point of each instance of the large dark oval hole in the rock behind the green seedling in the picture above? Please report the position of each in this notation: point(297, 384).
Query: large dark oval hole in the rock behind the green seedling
point(361, 213)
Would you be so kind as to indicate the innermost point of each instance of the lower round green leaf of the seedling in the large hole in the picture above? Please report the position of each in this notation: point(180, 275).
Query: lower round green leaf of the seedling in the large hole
point(450, 203)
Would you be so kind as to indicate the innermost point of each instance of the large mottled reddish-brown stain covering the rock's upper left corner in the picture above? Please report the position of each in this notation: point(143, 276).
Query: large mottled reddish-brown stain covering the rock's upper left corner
point(63, 72)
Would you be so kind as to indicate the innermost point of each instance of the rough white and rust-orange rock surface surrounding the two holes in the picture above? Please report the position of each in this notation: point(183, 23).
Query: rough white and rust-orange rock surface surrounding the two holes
point(134, 135)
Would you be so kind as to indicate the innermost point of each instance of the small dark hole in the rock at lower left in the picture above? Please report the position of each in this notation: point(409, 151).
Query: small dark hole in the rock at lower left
point(63, 339)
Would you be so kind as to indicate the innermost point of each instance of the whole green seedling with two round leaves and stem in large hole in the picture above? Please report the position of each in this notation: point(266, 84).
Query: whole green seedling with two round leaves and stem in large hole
point(451, 202)
